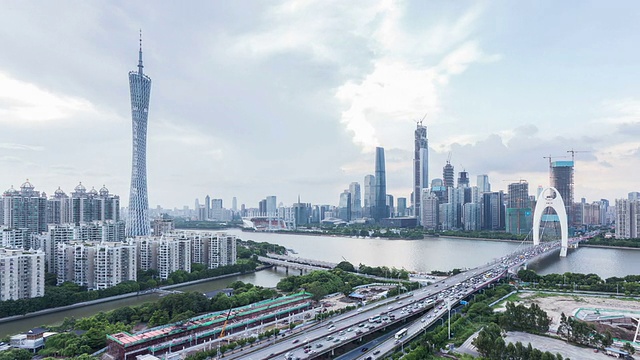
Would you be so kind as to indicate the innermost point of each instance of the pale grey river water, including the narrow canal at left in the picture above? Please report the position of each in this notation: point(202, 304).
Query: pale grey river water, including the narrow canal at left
point(415, 255)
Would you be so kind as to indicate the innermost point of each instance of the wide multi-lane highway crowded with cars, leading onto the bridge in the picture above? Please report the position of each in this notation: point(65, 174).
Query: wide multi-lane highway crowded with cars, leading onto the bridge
point(430, 302)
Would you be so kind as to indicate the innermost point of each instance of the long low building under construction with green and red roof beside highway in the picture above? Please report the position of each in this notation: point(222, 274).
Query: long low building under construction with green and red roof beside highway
point(204, 328)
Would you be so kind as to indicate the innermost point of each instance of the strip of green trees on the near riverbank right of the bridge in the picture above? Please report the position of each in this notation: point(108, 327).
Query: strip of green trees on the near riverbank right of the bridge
point(589, 282)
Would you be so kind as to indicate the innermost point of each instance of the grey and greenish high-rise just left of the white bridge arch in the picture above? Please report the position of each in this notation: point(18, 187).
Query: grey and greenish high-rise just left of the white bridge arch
point(519, 215)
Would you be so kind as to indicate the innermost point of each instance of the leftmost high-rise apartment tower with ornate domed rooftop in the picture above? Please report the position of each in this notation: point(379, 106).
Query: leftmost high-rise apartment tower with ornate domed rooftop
point(25, 209)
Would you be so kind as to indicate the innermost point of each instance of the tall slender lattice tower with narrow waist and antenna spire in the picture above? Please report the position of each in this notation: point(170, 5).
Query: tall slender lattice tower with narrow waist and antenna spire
point(140, 88)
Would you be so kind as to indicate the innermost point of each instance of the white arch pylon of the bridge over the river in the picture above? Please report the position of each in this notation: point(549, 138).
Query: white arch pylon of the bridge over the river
point(546, 200)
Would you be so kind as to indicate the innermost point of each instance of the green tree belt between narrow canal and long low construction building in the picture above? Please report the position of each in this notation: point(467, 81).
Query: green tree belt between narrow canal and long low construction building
point(169, 309)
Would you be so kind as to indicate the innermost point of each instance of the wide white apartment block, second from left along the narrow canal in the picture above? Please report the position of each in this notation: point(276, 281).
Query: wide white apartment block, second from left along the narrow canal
point(96, 265)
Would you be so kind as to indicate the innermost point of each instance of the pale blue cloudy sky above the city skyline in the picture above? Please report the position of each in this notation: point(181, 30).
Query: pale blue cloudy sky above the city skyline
point(258, 98)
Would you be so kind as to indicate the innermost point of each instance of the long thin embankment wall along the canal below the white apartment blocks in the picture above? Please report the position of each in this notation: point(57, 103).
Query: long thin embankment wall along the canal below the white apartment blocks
point(123, 296)
